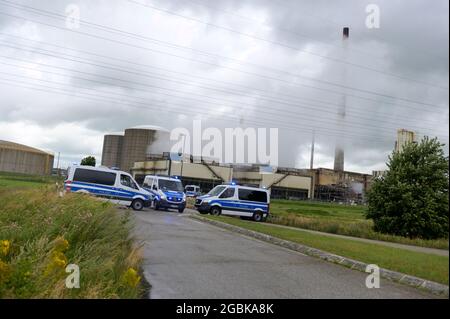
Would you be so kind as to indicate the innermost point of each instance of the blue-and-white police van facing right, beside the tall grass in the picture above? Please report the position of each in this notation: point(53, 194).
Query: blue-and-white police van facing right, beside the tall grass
point(113, 185)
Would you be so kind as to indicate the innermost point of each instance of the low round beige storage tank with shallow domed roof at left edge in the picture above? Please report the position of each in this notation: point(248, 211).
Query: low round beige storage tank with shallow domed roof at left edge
point(18, 158)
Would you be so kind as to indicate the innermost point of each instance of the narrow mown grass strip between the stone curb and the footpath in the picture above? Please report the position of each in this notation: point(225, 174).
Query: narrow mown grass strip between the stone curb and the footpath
point(427, 266)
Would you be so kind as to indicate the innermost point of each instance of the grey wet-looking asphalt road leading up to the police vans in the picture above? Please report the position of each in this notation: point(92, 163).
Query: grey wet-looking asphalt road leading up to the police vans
point(185, 258)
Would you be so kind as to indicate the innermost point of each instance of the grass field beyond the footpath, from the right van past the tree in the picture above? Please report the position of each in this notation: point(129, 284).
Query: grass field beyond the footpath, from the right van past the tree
point(337, 219)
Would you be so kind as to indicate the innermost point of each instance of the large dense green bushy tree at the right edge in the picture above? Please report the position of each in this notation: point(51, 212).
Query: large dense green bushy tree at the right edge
point(411, 199)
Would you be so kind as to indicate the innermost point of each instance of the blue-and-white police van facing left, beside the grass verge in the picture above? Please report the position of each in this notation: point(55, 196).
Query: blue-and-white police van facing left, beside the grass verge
point(235, 200)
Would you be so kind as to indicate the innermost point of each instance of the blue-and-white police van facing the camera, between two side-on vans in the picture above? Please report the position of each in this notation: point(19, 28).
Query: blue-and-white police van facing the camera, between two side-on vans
point(167, 191)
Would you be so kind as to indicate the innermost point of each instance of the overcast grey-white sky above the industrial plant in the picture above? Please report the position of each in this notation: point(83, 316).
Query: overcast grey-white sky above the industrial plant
point(231, 63)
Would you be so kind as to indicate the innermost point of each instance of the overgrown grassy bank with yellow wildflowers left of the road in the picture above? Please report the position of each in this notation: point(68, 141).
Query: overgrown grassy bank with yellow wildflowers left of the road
point(41, 233)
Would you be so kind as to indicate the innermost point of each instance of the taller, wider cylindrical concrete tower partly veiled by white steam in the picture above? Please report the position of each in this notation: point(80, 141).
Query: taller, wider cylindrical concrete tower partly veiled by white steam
point(136, 145)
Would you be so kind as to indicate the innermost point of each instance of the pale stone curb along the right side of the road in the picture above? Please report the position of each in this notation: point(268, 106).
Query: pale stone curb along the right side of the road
point(430, 286)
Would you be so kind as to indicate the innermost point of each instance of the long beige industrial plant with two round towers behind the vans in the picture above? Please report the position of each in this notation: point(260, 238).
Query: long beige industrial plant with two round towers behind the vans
point(143, 151)
